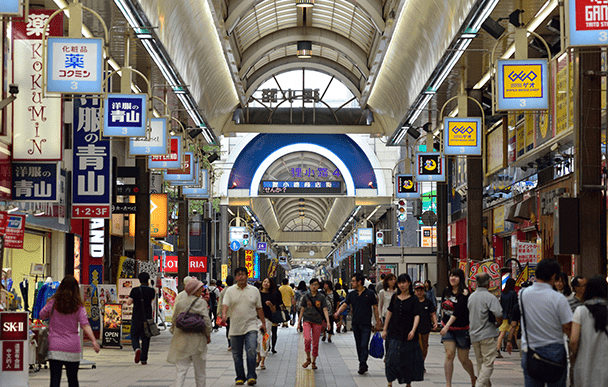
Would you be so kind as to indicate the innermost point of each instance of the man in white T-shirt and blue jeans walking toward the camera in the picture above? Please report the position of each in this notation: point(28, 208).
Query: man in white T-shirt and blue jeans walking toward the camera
point(243, 303)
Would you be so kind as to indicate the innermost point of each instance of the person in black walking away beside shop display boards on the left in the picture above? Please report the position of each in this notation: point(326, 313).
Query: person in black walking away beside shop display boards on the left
point(141, 298)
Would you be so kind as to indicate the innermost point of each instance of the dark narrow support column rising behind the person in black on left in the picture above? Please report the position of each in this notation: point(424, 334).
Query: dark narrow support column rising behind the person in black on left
point(142, 217)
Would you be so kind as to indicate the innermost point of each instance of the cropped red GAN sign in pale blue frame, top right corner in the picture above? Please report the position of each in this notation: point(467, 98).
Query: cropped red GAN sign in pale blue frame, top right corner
point(587, 22)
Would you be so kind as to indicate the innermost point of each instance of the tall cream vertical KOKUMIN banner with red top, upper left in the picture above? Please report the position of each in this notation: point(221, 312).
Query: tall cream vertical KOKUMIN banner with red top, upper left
point(37, 125)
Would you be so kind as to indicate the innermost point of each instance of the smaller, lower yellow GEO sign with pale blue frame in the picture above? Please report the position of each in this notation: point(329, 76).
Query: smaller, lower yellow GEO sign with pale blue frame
point(462, 136)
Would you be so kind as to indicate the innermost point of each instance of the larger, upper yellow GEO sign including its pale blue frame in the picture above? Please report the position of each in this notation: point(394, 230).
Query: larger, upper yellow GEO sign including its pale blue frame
point(522, 85)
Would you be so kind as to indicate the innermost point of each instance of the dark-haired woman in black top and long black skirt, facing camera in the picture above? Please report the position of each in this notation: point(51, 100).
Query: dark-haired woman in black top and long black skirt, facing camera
point(403, 355)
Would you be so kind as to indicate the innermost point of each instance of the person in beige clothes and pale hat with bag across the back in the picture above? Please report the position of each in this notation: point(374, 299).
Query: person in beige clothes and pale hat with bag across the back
point(190, 347)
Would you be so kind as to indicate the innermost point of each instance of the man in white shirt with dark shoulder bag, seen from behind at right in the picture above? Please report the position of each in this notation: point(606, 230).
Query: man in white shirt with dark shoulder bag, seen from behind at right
point(546, 316)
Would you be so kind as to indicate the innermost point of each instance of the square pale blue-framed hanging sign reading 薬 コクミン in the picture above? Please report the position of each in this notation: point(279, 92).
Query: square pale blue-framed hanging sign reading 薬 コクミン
point(74, 65)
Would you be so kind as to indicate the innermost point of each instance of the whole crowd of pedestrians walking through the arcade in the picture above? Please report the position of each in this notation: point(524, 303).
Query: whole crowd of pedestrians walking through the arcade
point(562, 324)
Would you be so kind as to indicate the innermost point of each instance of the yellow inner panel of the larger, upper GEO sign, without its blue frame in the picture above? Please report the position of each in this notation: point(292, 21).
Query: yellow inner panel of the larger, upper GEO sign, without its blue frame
point(522, 81)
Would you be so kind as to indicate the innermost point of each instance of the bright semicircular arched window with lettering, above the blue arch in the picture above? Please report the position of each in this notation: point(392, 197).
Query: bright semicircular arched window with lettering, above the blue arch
point(337, 93)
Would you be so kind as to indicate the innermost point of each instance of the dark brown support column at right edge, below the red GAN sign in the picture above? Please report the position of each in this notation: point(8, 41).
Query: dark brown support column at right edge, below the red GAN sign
point(592, 210)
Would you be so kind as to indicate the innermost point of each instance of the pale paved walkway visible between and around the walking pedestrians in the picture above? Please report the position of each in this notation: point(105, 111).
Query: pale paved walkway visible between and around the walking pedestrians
point(337, 366)
